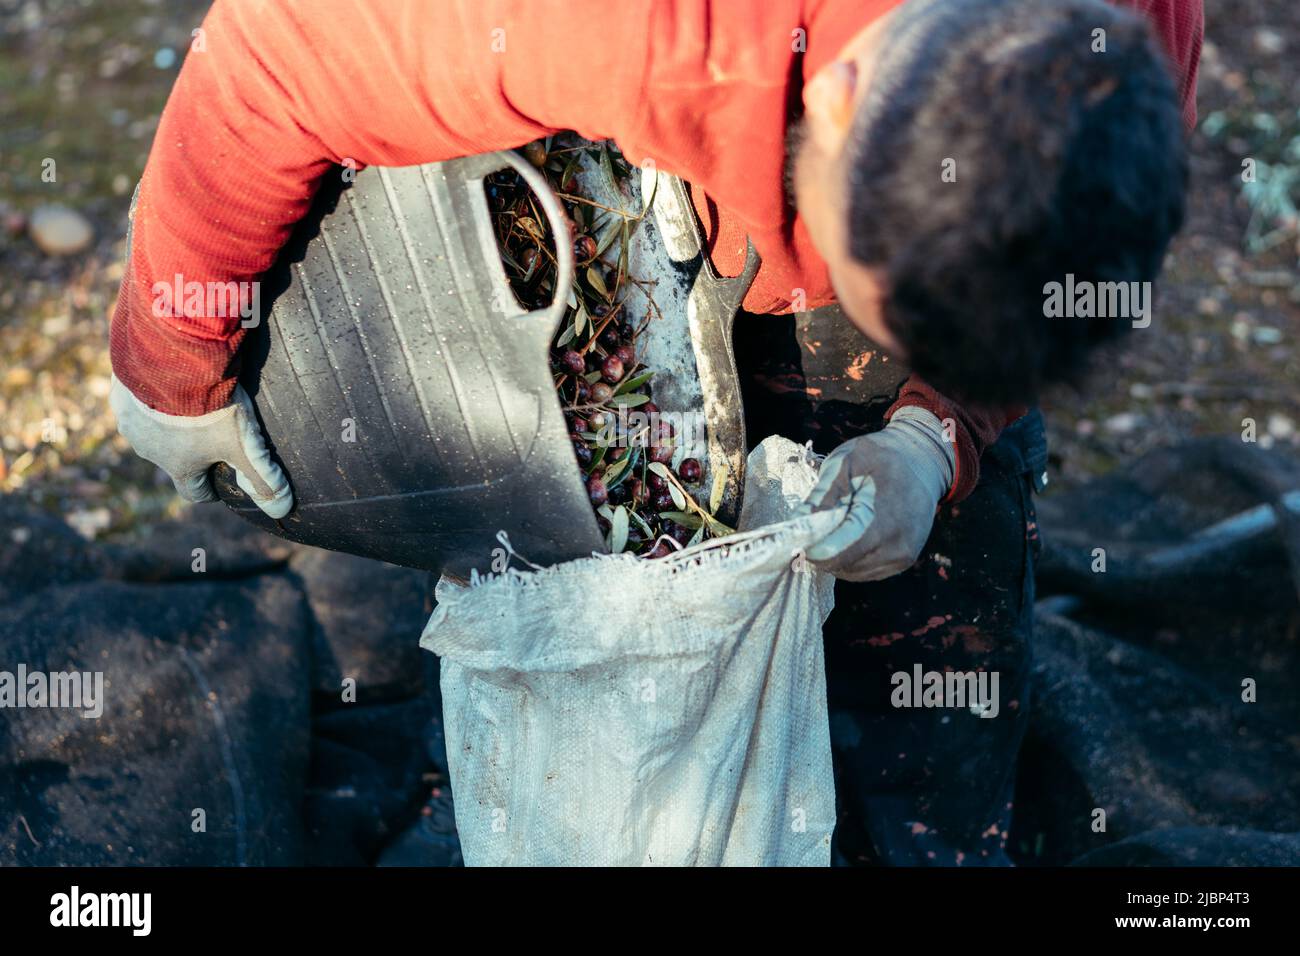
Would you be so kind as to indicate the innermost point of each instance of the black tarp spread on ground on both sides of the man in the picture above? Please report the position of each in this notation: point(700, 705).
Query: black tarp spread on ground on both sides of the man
point(226, 689)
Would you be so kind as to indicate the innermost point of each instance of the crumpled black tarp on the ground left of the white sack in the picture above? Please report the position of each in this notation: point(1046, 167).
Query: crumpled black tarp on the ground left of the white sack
point(223, 694)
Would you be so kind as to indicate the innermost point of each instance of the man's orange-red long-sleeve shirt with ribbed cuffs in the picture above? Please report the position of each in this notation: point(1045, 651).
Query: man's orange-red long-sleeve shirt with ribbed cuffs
point(281, 90)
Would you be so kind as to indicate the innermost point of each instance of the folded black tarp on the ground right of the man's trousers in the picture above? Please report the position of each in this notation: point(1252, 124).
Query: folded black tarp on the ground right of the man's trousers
point(1138, 698)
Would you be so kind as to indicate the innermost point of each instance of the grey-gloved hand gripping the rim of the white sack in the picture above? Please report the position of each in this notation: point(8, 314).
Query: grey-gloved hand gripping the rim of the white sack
point(892, 482)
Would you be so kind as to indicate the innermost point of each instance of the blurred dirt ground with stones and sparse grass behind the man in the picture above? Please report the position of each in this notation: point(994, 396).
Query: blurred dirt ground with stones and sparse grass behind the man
point(83, 84)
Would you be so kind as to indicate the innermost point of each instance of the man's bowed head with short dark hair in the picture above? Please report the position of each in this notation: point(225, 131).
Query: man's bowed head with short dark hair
point(963, 157)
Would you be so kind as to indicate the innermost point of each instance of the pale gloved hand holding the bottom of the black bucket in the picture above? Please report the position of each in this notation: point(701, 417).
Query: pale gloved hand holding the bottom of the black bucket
point(187, 448)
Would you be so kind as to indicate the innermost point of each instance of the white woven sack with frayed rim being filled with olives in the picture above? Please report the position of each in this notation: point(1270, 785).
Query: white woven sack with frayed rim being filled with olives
point(623, 712)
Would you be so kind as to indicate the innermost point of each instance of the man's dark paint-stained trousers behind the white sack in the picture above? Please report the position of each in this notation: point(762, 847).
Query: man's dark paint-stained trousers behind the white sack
point(915, 786)
